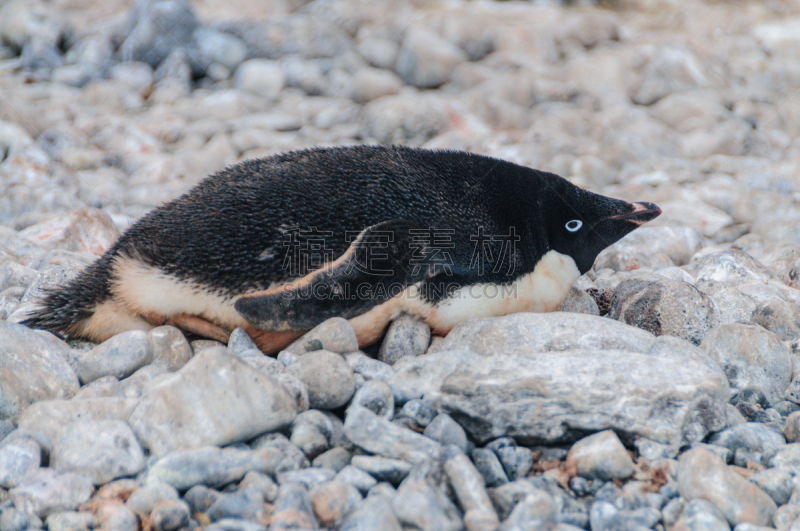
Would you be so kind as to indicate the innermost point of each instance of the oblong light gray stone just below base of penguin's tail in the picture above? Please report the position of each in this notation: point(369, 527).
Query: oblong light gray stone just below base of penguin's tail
point(119, 356)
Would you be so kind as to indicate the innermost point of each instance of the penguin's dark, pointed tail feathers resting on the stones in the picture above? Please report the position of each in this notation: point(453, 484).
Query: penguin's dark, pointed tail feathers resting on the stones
point(65, 310)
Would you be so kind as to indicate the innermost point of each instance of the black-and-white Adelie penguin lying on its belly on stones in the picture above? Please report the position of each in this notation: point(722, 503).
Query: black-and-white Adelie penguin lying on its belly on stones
point(280, 244)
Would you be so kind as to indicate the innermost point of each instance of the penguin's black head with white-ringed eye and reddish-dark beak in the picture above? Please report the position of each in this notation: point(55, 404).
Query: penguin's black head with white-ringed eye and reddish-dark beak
point(581, 223)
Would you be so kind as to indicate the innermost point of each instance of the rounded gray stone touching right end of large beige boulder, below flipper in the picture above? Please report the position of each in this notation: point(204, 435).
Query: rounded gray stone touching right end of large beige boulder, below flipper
point(327, 376)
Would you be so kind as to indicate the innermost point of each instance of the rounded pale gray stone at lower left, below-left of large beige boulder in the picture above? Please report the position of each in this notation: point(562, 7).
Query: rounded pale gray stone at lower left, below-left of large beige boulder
point(100, 449)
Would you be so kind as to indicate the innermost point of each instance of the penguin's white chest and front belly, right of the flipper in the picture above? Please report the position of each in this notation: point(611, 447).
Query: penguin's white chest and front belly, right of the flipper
point(542, 290)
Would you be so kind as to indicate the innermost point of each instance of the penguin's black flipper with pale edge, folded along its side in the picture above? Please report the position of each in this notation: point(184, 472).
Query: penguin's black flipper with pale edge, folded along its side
point(382, 262)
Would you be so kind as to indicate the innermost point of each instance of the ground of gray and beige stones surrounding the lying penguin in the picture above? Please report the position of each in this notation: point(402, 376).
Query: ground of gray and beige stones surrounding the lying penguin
point(665, 396)
